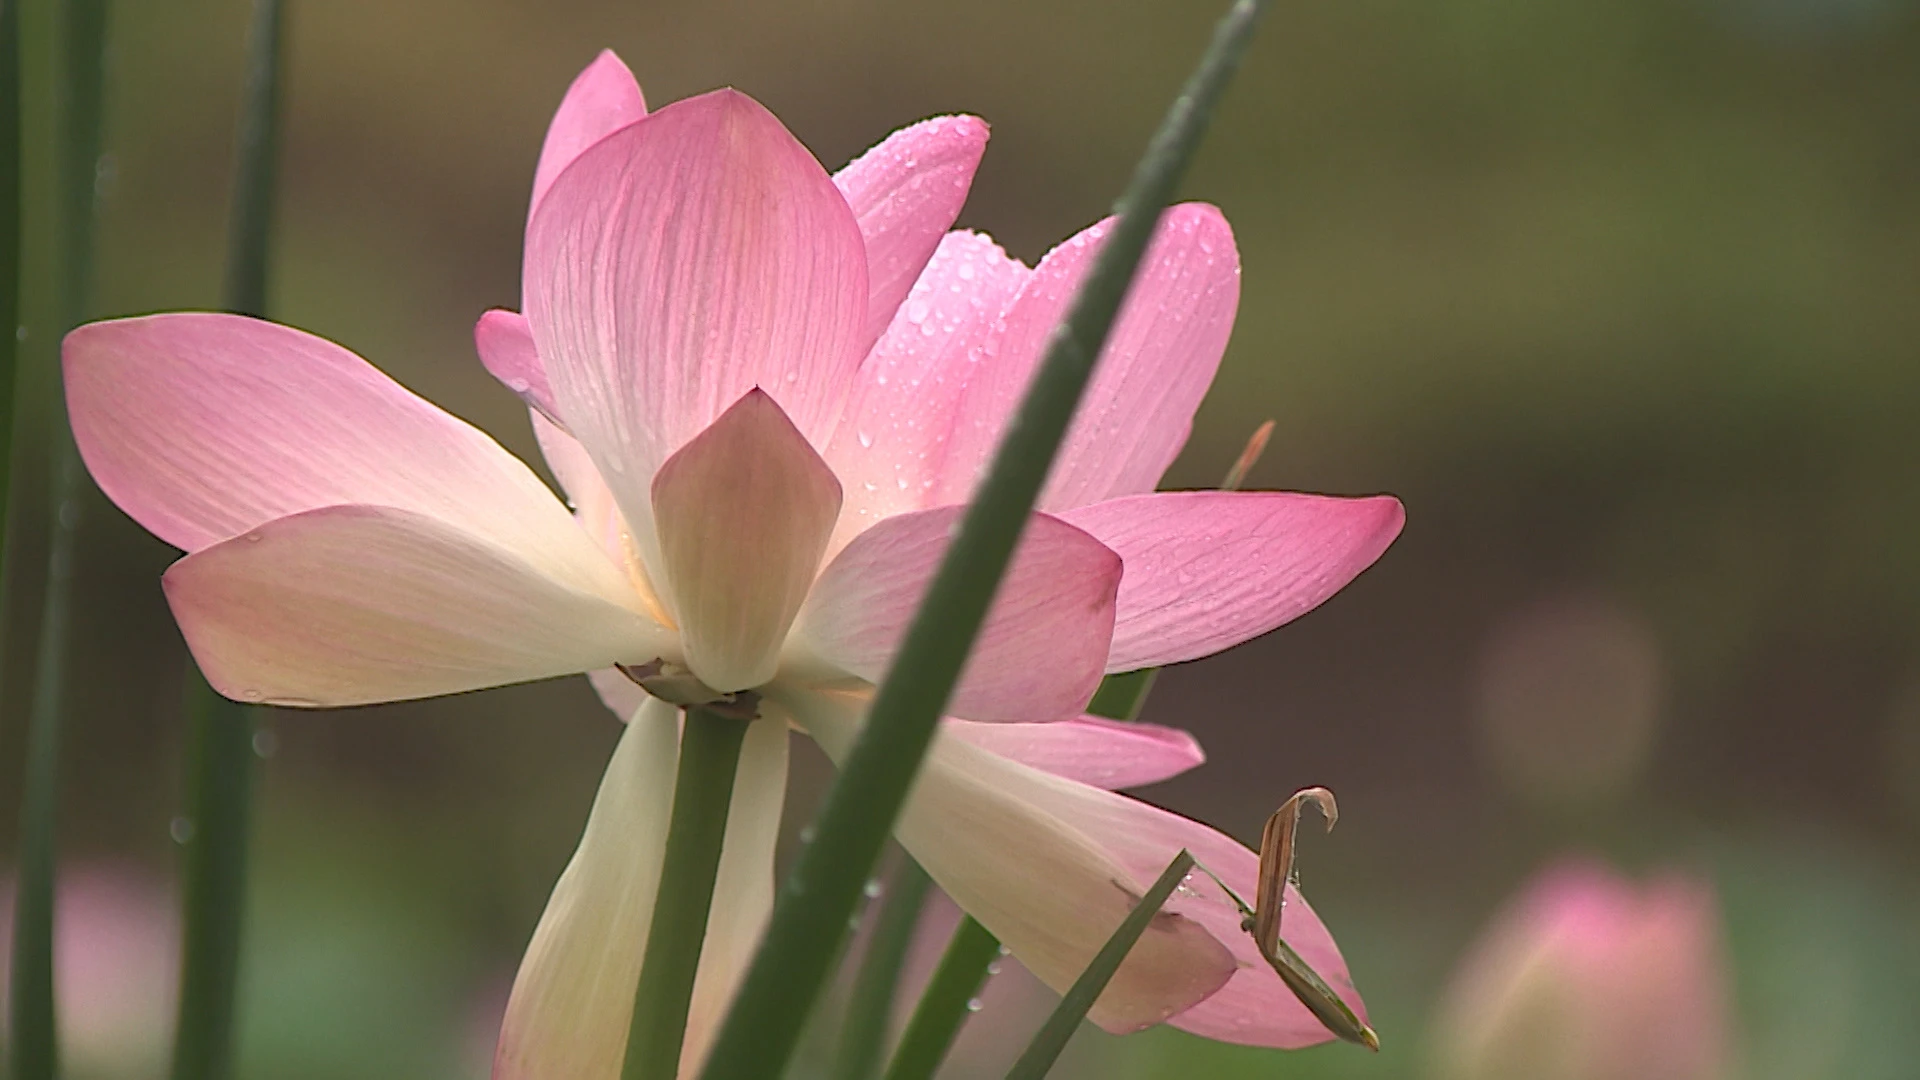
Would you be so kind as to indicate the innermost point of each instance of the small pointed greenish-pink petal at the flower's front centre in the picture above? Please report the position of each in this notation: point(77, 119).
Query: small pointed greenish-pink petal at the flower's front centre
point(744, 514)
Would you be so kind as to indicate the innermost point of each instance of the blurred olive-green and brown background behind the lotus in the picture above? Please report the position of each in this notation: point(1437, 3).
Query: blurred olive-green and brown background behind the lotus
point(1620, 297)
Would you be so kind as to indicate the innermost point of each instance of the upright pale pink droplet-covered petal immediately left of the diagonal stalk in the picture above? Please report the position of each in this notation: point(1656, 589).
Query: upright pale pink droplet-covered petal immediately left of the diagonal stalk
point(892, 441)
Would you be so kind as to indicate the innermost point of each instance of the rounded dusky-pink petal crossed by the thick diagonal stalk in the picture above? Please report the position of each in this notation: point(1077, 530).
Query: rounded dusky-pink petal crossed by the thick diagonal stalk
point(1045, 643)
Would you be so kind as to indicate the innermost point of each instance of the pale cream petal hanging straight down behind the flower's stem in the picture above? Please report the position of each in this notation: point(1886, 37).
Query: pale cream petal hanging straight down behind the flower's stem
point(575, 993)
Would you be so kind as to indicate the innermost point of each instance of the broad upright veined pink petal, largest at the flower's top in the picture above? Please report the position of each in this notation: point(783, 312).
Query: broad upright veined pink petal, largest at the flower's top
point(681, 264)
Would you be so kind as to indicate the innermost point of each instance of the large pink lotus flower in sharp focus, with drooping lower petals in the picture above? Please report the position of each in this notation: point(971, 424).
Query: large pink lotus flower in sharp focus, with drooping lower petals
point(767, 393)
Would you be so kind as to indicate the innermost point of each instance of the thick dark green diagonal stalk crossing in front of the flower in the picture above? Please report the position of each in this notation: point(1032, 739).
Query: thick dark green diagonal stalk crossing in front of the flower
point(819, 896)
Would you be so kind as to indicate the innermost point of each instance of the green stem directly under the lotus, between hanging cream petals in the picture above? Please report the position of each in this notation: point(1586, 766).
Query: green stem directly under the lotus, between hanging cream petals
point(704, 789)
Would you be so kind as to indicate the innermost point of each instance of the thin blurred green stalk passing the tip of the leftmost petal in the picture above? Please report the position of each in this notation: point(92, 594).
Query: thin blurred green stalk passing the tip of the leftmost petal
point(80, 89)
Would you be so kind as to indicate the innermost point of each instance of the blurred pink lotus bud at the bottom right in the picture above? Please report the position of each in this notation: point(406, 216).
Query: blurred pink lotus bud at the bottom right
point(1593, 977)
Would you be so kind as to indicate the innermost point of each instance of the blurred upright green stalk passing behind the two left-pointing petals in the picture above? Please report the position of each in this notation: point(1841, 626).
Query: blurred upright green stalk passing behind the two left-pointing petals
point(220, 779)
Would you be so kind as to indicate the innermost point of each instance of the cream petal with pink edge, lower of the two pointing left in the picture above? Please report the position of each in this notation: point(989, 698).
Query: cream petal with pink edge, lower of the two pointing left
point(358, 604)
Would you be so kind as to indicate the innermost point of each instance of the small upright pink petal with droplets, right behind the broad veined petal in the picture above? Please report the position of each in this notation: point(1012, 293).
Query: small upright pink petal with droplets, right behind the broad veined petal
point(907, 193)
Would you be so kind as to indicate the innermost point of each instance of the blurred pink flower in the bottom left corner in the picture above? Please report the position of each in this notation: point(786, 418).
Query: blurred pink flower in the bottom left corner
point(116, 948)
